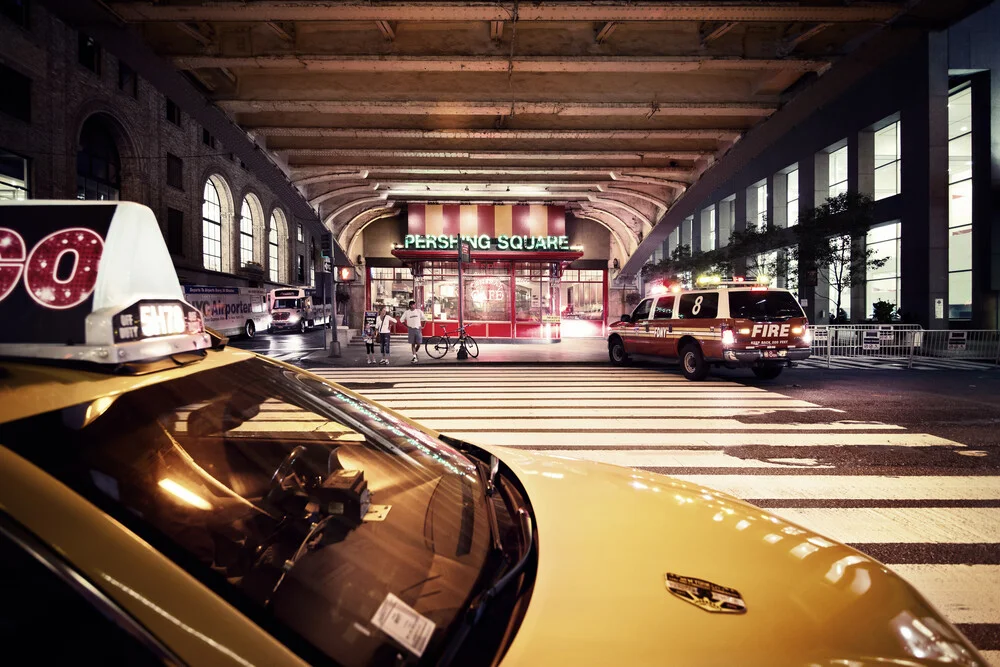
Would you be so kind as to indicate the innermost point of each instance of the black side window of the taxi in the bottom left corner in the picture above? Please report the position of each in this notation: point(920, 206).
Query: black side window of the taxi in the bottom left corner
point(43, 613)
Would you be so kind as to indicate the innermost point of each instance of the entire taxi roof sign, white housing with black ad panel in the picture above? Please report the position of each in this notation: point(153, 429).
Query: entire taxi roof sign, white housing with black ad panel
point(90, 281)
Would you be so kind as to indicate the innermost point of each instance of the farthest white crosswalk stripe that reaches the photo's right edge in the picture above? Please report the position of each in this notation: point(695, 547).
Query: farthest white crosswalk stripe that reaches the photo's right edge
point(842, 486)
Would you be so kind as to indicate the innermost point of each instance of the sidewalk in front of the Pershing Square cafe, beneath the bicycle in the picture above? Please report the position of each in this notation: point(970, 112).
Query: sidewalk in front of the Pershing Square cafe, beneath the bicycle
point(569, 351)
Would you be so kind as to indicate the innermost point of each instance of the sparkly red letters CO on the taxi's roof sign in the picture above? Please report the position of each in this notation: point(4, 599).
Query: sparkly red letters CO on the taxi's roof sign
point(40, 267)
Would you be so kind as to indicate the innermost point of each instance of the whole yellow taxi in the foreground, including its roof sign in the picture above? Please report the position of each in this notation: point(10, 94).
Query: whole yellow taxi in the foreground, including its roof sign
point(165, 499)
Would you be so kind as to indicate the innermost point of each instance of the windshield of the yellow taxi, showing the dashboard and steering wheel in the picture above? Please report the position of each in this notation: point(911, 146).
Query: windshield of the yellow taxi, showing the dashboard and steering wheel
point(304, 506)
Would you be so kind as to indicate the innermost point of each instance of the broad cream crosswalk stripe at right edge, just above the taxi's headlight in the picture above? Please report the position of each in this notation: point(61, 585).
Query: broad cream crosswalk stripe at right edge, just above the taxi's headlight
point(964, 593)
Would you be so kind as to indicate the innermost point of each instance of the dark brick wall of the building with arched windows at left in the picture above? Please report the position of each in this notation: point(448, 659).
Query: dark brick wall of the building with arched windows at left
point(64, 94)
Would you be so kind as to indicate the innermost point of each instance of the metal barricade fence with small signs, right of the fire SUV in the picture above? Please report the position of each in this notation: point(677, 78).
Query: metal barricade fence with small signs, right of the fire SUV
point(904, 342)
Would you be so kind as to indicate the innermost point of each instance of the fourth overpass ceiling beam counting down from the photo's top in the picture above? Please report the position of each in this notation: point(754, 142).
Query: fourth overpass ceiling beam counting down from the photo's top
point(494, 135)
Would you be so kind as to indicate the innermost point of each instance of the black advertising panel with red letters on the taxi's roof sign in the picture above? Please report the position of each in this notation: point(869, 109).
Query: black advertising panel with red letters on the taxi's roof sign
point(49, 262)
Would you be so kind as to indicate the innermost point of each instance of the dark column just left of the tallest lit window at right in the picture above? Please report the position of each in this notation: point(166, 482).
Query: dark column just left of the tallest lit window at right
point(924, 251)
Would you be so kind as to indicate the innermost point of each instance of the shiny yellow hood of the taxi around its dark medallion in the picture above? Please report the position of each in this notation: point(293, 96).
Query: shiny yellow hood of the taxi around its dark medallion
point(608, 536)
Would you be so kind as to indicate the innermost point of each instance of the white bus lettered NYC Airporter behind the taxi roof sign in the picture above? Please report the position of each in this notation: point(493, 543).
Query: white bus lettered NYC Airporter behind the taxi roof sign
point(232, 311)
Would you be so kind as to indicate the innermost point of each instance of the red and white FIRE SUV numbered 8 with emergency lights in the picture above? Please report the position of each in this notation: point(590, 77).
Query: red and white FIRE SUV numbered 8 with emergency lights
point(733, 325)
